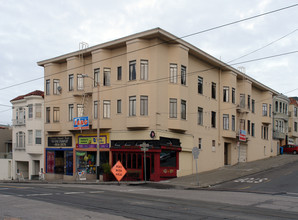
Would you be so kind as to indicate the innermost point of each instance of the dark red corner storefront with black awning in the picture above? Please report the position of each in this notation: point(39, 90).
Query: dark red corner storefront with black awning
point(162, 158)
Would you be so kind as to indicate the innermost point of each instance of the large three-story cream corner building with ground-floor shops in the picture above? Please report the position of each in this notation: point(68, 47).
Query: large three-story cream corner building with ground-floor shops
point(158, 89)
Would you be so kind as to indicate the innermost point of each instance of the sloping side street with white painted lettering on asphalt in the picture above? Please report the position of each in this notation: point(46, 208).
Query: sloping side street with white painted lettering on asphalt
point(279, 180)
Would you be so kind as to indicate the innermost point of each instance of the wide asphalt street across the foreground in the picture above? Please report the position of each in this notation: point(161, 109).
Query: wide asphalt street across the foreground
point(66, 201)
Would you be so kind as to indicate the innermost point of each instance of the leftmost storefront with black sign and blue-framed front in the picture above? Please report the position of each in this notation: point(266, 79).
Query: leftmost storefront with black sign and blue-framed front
point(59, 155)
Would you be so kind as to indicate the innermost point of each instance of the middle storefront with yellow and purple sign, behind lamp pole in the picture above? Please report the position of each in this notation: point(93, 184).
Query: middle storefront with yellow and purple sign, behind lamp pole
point(86, 151)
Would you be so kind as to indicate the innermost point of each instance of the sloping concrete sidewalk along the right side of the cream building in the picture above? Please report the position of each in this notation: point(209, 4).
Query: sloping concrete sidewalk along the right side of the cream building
point(228, 173)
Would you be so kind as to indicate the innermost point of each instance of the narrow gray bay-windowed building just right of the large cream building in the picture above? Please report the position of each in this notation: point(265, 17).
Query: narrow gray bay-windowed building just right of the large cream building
point(280, 118)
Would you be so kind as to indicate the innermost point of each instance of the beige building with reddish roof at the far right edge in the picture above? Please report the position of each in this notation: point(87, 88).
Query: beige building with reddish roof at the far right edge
point(293, 121)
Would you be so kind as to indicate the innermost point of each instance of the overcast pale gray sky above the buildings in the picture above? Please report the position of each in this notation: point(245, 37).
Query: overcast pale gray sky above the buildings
point(34, 30)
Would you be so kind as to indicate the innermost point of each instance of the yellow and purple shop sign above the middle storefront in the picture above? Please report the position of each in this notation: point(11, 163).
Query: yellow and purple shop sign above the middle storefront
point(90, 141)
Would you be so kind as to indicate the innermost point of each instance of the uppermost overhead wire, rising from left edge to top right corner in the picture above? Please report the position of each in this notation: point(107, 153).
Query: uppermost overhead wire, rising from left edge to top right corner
point(177, 38)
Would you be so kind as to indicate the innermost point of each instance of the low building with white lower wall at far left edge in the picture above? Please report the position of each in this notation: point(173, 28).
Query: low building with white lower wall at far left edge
point(5, 152)
